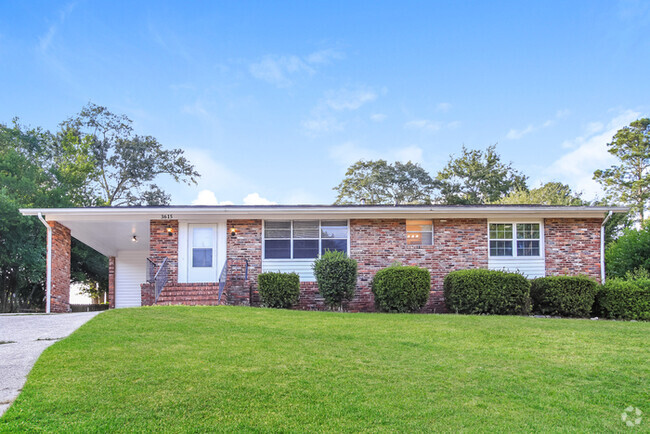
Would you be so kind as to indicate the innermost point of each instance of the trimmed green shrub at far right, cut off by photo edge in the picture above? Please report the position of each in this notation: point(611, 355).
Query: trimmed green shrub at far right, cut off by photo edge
point(624, 299)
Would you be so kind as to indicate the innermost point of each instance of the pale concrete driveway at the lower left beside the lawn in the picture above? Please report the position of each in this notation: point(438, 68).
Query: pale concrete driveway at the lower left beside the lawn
point(22, 339)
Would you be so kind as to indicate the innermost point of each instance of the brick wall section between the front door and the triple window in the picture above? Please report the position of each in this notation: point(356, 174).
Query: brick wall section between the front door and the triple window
point(245, 245)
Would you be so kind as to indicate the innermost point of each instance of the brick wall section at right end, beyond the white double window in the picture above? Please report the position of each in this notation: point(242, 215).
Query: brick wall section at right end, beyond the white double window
point(572, 247)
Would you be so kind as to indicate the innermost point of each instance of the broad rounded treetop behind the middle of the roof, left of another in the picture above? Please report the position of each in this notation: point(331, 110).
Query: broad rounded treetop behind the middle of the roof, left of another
point(379, 182)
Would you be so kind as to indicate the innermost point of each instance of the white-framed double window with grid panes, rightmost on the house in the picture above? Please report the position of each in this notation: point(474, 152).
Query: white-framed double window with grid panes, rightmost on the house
point(515, 239)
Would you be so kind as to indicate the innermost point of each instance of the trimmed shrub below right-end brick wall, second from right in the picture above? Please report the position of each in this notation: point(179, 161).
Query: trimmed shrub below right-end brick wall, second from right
point(563, 295)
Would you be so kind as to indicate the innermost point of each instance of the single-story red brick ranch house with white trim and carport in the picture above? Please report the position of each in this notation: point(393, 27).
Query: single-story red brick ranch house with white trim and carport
point(213, 254)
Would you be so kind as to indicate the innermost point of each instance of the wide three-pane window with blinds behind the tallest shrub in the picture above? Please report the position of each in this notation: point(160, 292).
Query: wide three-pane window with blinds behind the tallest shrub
point(304, 239)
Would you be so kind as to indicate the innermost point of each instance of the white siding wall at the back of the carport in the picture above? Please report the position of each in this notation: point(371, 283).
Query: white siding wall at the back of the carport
point(130, 272)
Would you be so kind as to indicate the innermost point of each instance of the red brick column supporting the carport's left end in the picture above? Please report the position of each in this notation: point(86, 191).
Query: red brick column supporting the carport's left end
point(61, 245)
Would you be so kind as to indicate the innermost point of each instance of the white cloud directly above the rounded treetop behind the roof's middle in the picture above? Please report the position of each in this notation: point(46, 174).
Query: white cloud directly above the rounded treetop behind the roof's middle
point(349, 153)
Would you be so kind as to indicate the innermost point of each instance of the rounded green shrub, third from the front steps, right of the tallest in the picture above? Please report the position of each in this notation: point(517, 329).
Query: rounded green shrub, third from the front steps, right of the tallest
point(400, 288)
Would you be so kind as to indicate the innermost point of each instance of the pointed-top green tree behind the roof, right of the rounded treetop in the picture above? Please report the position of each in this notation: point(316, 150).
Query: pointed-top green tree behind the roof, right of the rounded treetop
point(478, 177)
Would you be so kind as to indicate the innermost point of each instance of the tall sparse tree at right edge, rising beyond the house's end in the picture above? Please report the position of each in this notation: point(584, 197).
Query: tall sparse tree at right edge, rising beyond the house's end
point(629, 181)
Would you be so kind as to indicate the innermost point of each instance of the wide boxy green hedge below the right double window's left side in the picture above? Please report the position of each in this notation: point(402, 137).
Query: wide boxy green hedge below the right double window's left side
point(481, 291)
